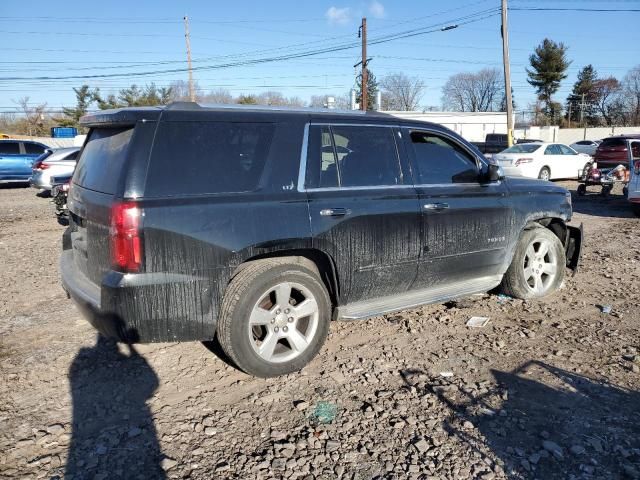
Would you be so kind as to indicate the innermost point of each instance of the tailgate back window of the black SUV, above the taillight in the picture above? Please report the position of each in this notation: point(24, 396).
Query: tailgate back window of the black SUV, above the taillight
point(102, 159)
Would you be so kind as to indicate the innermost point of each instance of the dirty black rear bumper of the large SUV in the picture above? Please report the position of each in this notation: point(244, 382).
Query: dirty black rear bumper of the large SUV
point(145, 307)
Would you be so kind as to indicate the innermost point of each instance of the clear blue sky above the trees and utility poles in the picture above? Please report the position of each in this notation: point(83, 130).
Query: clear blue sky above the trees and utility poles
point(47, 48)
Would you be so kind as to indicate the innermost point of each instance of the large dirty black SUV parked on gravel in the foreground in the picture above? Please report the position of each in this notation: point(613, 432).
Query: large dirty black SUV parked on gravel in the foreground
point(258, 226)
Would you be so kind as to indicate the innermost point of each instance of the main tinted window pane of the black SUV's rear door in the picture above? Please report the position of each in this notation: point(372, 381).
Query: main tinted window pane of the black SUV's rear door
point(367, 156)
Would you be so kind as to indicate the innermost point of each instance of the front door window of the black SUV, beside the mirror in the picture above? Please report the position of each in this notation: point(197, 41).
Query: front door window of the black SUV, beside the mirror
point(439, 160)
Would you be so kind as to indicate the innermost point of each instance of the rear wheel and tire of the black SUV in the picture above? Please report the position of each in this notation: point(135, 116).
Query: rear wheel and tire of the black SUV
point(279, 342)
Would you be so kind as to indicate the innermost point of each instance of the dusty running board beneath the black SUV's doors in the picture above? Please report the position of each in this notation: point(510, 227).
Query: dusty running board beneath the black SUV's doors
point(404, 301)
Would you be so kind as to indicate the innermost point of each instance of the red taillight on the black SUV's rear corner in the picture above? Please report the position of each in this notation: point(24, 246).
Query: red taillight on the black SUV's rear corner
point(126, 241)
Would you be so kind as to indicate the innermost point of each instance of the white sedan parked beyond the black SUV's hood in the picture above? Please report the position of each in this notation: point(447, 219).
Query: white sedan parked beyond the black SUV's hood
point(547, 161)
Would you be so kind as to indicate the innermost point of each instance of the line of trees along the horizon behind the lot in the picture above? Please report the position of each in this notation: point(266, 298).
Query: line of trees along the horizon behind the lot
point(593, 101)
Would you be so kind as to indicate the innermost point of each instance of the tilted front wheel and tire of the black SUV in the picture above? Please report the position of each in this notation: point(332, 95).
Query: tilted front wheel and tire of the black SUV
point(522, 279)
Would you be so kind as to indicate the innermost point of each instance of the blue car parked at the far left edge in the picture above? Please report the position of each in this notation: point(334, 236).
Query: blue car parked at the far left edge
point(16, 159)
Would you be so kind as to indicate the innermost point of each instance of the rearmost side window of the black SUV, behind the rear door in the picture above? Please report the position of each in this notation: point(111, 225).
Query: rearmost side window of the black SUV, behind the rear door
point(208, 157)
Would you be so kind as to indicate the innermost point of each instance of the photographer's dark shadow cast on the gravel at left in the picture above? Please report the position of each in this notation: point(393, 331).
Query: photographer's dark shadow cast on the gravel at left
point(113, 434)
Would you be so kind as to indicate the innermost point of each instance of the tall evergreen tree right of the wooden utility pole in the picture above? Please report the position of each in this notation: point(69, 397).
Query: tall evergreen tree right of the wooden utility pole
point(548, 68)
